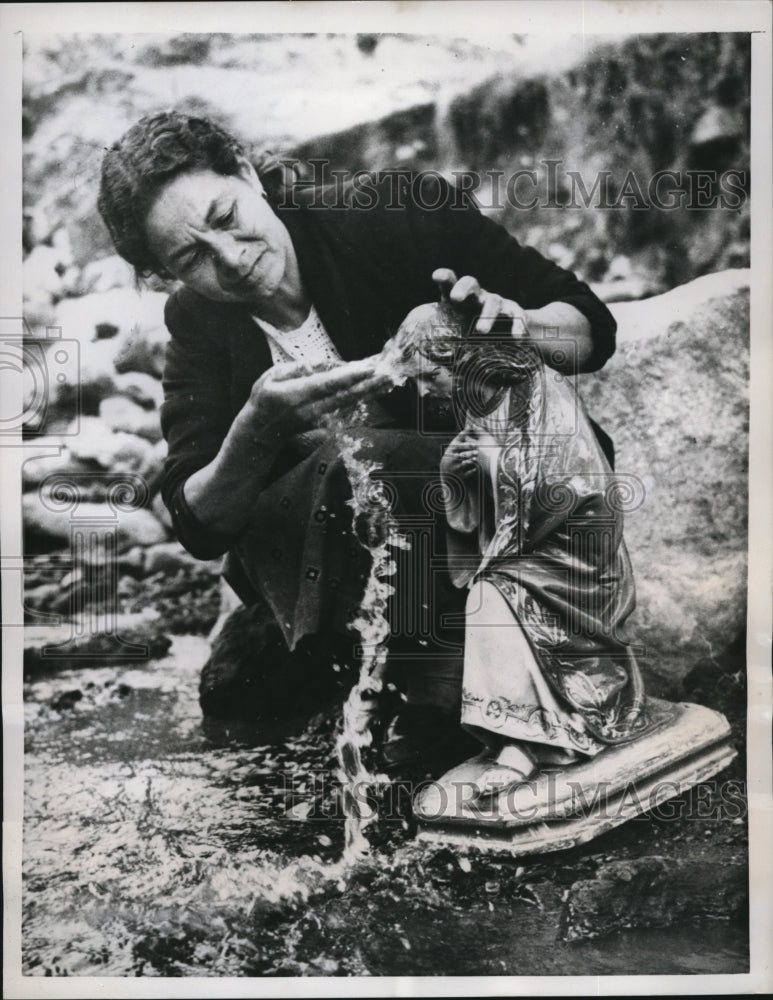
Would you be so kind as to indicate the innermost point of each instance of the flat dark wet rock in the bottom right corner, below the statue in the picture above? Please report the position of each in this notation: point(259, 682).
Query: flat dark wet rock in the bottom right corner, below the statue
point(653, 892)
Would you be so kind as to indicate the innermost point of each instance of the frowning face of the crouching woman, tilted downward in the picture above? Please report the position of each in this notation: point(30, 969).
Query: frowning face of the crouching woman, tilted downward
point(219, 236)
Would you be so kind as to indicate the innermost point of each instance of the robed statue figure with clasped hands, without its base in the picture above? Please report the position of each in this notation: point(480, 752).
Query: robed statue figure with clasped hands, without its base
point(534, 525)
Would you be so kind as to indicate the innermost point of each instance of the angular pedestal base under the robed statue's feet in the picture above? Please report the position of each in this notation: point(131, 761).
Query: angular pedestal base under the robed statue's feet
point(560, 809)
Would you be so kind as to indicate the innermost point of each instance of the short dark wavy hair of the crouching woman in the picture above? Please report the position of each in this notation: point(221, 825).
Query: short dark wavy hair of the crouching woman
point(154, 151)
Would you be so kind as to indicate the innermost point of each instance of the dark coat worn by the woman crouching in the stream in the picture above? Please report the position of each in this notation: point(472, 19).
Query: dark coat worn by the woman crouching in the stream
point(364, 269)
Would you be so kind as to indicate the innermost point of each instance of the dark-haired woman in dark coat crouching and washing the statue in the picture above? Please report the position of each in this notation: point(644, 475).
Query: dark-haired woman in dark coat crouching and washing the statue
point(281, 303)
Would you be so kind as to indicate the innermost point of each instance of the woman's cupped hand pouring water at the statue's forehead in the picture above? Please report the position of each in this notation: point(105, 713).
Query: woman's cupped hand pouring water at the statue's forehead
point(293, 397)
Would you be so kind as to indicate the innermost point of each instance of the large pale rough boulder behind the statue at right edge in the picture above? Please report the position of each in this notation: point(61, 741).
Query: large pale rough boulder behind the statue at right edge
point(675, 400)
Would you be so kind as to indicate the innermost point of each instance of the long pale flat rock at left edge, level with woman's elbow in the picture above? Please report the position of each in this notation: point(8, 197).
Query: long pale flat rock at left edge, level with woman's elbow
point(45, 523)
